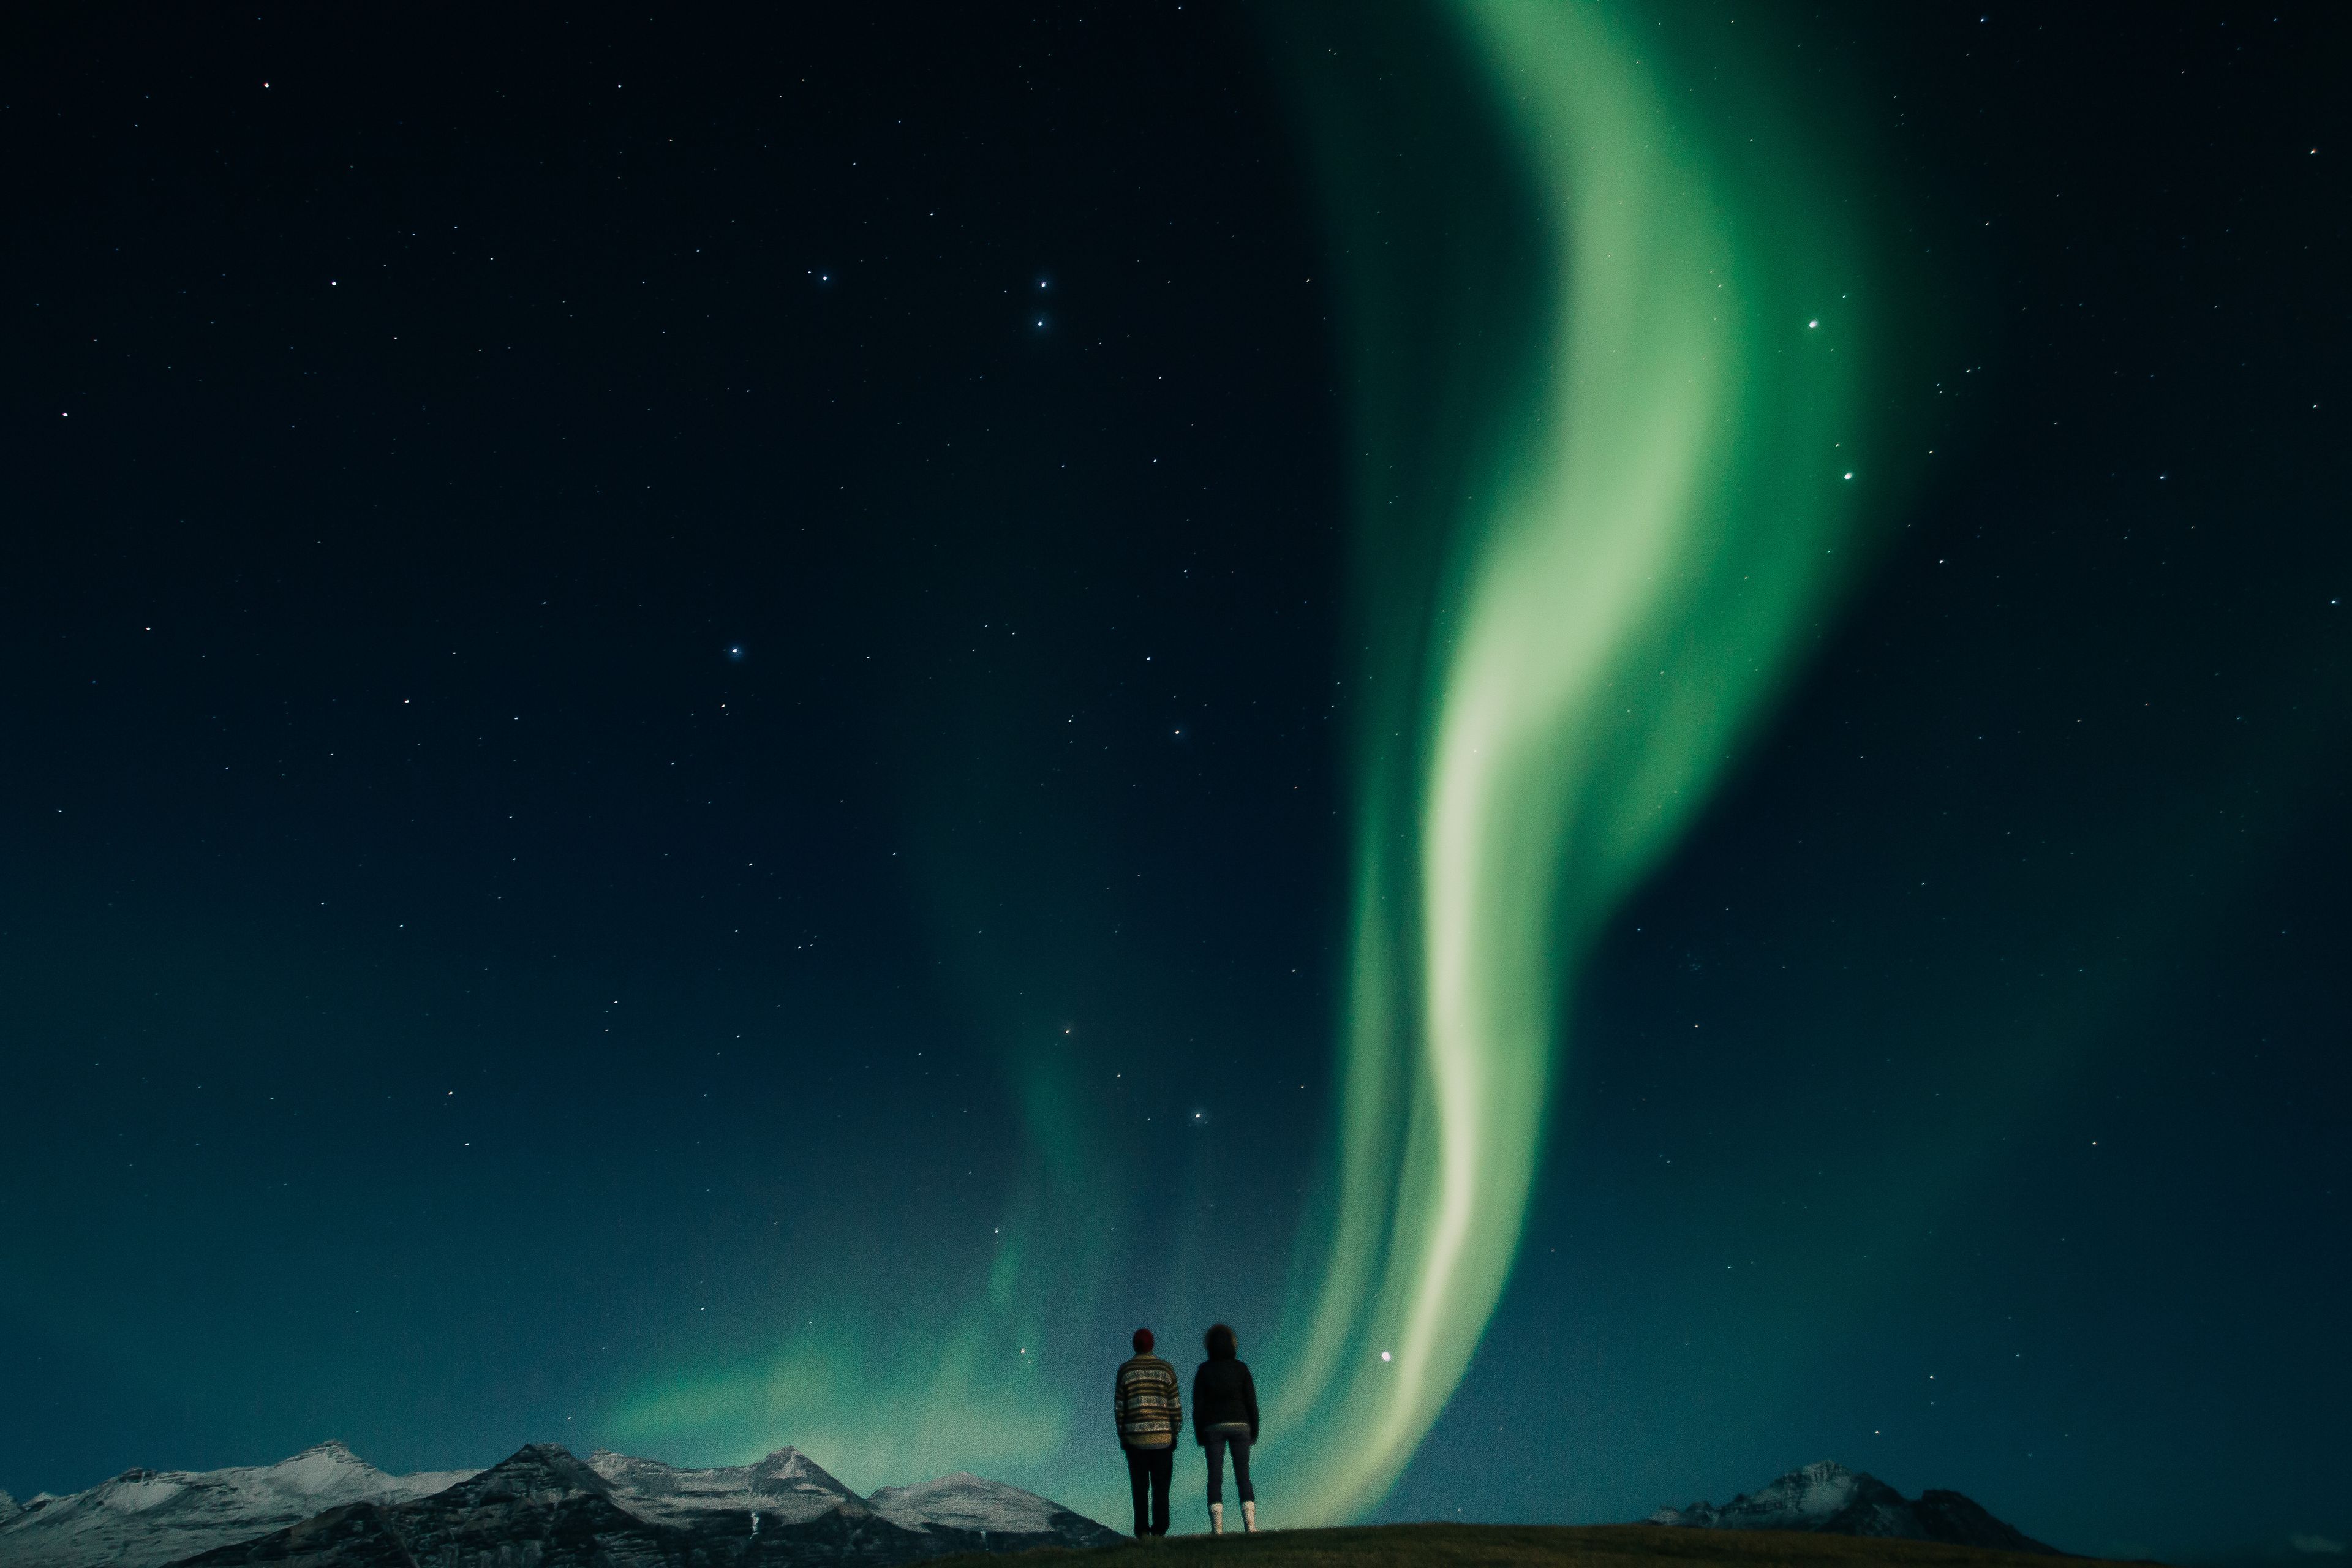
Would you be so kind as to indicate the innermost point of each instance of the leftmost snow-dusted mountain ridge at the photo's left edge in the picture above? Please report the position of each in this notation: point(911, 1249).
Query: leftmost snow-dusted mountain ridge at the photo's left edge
point(149, 1517)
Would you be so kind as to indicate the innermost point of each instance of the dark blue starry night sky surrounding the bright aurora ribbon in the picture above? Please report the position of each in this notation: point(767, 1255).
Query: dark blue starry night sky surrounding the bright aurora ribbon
point(695, 721)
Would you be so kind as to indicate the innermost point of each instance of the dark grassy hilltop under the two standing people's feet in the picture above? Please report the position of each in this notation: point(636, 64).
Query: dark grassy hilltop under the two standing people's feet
point(1521, 1546)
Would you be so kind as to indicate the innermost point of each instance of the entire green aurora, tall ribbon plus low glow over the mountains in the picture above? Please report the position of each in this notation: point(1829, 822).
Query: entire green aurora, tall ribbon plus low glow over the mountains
point(1605, 356)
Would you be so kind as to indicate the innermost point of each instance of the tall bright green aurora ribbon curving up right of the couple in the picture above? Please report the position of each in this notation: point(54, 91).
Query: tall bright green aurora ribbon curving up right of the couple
point(1648, 516)
